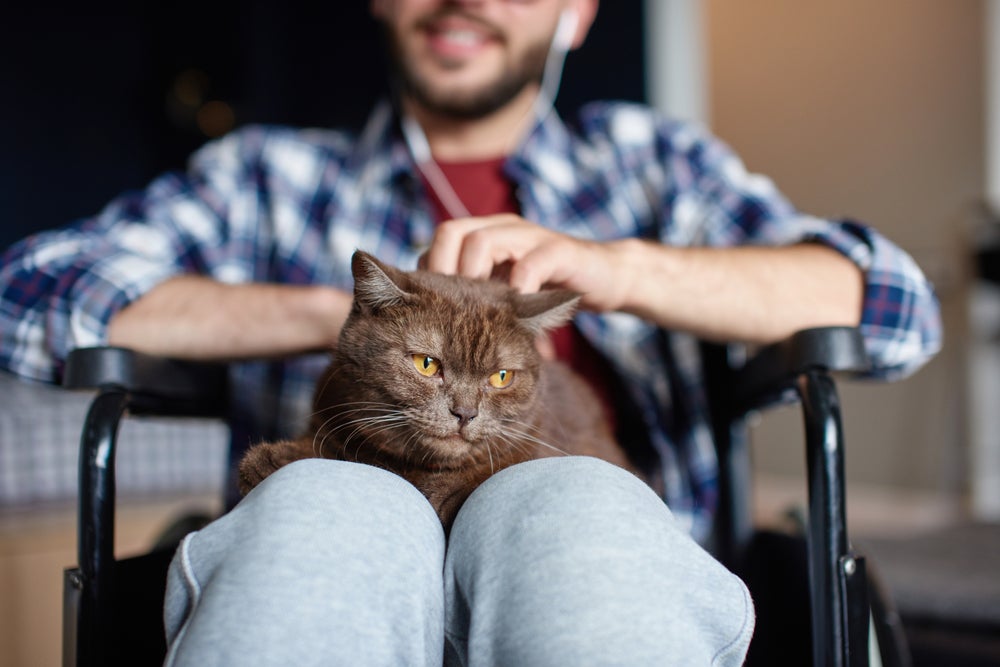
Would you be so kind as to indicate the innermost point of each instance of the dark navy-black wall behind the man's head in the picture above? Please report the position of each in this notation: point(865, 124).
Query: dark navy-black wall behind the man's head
point(99, 97)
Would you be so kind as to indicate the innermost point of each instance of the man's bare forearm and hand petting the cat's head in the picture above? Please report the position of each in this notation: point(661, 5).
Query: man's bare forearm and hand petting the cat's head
point(752, 294)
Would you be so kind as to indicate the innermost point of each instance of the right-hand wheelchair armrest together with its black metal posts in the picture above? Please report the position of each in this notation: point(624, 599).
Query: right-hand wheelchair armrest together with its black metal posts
point(800, 368)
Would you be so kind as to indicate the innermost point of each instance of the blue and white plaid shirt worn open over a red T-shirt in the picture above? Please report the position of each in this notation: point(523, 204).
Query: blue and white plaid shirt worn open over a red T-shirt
point(289, 205)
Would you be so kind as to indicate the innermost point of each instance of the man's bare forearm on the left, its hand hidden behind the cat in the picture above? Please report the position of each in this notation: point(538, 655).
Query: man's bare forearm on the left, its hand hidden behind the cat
point(194, 317)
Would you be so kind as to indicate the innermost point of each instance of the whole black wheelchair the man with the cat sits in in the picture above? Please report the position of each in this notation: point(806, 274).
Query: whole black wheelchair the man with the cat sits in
point(815, 597)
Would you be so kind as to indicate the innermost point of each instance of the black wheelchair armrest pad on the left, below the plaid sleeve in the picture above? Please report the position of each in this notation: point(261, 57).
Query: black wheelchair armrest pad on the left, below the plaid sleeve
point(155, 385)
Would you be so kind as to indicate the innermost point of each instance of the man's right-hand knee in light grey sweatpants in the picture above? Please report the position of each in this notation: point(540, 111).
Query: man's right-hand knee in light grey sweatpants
point(576, 555)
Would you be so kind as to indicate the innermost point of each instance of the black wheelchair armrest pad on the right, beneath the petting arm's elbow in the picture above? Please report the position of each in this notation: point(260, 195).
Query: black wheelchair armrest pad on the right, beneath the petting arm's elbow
point(773, 370)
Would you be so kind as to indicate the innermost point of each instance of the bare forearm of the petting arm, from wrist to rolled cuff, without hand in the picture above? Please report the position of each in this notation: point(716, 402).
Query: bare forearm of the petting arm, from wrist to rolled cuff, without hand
point(752, 294)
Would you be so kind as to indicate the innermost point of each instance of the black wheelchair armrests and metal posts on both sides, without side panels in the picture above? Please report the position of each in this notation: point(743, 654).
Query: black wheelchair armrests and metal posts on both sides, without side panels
point(801, 367)
